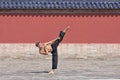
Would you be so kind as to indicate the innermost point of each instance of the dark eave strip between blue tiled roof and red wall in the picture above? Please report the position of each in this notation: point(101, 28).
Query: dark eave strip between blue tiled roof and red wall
point(59, 10)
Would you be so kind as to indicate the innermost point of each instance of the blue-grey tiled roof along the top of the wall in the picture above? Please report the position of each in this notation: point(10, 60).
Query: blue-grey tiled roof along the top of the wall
point(59, 4)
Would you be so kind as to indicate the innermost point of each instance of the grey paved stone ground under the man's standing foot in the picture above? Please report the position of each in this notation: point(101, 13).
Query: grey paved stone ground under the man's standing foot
point(68, 69)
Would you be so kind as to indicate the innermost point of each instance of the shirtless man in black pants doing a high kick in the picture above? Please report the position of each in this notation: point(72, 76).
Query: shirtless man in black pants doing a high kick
point(51, 47)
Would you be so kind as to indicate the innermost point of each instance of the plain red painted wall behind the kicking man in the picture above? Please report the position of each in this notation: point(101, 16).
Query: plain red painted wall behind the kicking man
point(85, 28)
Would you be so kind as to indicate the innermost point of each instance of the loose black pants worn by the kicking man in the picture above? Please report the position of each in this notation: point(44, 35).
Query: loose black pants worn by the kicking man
point(54, 52)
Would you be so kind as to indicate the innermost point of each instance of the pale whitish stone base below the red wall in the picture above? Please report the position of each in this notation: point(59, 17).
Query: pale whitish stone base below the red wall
point(68, 50)
